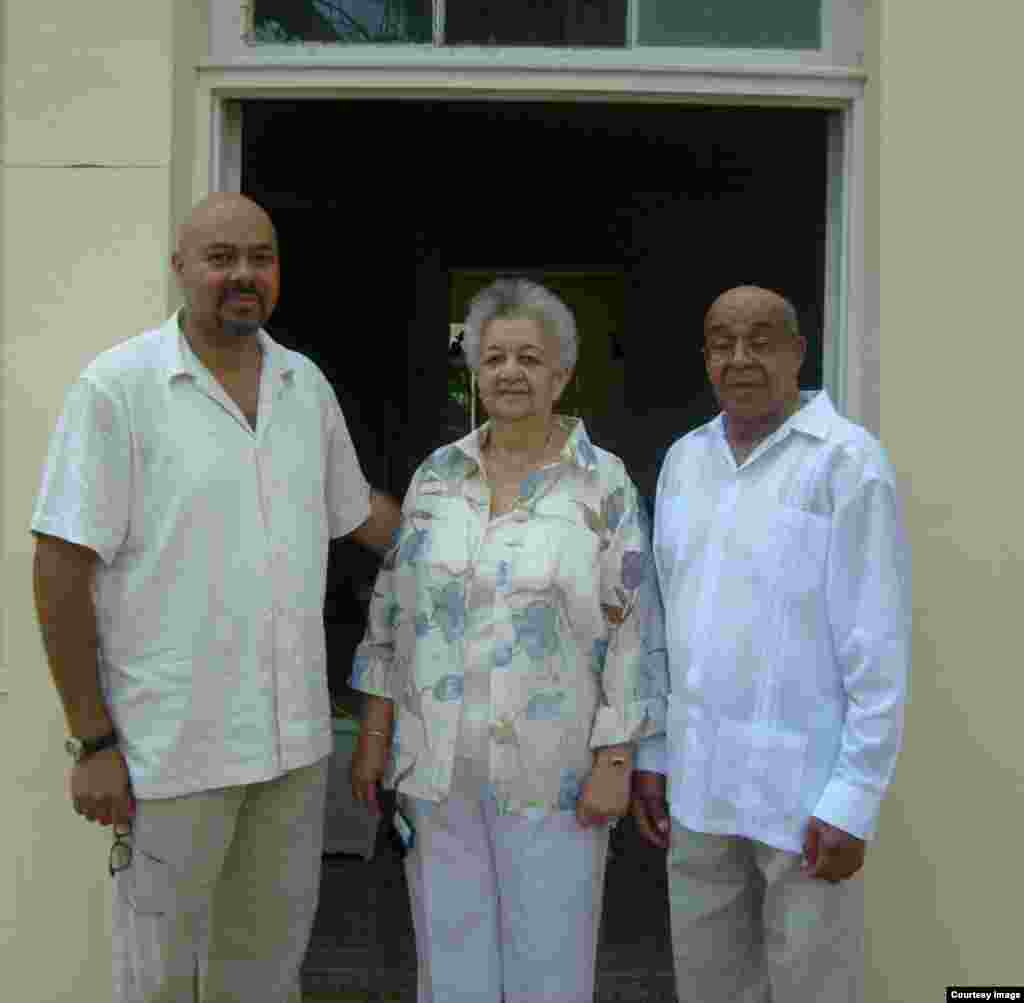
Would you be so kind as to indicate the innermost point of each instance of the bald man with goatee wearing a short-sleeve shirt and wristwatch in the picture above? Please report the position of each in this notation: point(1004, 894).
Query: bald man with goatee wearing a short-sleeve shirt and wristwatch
point(195, 480)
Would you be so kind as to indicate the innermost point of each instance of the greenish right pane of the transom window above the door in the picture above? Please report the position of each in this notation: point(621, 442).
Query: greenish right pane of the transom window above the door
point(731, 24)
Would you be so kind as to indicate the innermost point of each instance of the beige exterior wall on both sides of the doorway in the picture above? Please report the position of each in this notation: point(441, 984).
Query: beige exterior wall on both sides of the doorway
point(100, 144)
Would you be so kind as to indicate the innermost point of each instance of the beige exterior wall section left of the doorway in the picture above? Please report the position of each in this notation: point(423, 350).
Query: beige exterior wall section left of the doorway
point(94, 107)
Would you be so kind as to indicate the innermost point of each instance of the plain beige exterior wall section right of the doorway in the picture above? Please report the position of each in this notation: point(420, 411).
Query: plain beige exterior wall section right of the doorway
point(945, 884)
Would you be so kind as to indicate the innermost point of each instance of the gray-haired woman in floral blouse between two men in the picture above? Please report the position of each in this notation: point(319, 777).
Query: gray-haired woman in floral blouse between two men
point(515, 655)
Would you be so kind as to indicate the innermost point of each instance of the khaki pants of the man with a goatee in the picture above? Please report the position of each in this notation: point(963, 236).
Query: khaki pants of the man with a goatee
point(219, 903)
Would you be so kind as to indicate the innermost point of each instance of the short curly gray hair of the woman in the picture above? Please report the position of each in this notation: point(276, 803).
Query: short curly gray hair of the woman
point(520, 298)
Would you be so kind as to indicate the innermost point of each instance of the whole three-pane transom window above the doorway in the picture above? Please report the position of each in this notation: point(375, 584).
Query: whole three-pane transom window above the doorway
point(791, 25)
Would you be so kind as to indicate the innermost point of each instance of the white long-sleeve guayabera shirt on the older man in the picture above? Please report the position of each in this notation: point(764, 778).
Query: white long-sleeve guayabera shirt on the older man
point(786, 584)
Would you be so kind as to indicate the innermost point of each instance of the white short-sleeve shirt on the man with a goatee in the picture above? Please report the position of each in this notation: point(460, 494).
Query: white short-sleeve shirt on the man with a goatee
point(214, 540)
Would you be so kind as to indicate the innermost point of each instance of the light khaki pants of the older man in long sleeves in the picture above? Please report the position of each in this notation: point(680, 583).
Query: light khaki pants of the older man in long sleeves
point(749, 928)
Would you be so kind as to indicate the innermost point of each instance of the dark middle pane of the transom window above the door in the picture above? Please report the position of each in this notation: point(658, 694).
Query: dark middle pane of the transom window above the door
point(590, 23)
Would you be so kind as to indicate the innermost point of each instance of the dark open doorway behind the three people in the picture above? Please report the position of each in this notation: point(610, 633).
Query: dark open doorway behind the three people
point(385, 207)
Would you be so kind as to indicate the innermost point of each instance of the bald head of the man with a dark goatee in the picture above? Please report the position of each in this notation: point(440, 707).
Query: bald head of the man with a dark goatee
point(227, 266)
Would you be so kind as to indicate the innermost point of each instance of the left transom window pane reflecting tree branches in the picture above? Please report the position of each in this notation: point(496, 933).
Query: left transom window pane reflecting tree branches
point(354, 22)
